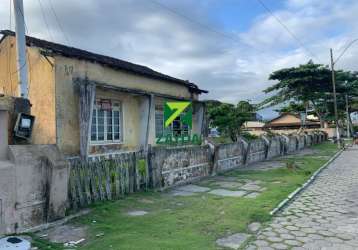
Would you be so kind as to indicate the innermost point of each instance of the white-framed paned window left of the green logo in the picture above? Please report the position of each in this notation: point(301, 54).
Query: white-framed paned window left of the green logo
point(106, 122)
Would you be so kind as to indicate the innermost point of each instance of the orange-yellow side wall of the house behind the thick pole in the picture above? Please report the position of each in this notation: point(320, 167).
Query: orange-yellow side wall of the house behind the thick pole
point(41, 88)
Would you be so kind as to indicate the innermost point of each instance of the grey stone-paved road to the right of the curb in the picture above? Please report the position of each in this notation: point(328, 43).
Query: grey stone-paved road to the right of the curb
point(324, 216)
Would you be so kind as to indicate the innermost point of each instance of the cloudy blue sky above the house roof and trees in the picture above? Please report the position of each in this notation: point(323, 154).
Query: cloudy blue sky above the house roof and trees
point(228, 47)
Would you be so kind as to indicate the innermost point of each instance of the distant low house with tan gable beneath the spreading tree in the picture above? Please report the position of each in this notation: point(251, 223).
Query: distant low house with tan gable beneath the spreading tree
point(287, 121)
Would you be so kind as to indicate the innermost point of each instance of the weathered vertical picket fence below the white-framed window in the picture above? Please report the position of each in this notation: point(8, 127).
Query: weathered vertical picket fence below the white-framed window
point(107, 179)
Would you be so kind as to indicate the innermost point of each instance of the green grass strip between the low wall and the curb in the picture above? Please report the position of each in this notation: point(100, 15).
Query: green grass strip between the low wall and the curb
point(194, 222)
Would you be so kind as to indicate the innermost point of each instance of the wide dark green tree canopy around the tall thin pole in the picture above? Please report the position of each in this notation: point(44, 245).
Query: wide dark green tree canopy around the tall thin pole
point(311, 84)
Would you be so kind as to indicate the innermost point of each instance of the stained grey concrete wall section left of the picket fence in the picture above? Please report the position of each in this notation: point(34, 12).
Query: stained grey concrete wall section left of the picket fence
point(33, 187)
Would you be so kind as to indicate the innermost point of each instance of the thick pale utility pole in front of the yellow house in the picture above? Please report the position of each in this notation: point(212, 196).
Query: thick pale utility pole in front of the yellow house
point(21, 47)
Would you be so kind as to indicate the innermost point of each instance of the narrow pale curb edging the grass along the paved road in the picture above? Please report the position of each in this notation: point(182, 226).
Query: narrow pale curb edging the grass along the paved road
point(293, 195)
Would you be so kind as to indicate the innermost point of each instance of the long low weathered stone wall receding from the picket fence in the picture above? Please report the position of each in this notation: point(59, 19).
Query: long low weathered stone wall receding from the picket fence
point(174, 166)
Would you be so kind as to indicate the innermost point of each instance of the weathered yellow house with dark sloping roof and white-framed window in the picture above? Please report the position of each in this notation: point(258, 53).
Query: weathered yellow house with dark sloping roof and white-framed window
point(89, 103)
